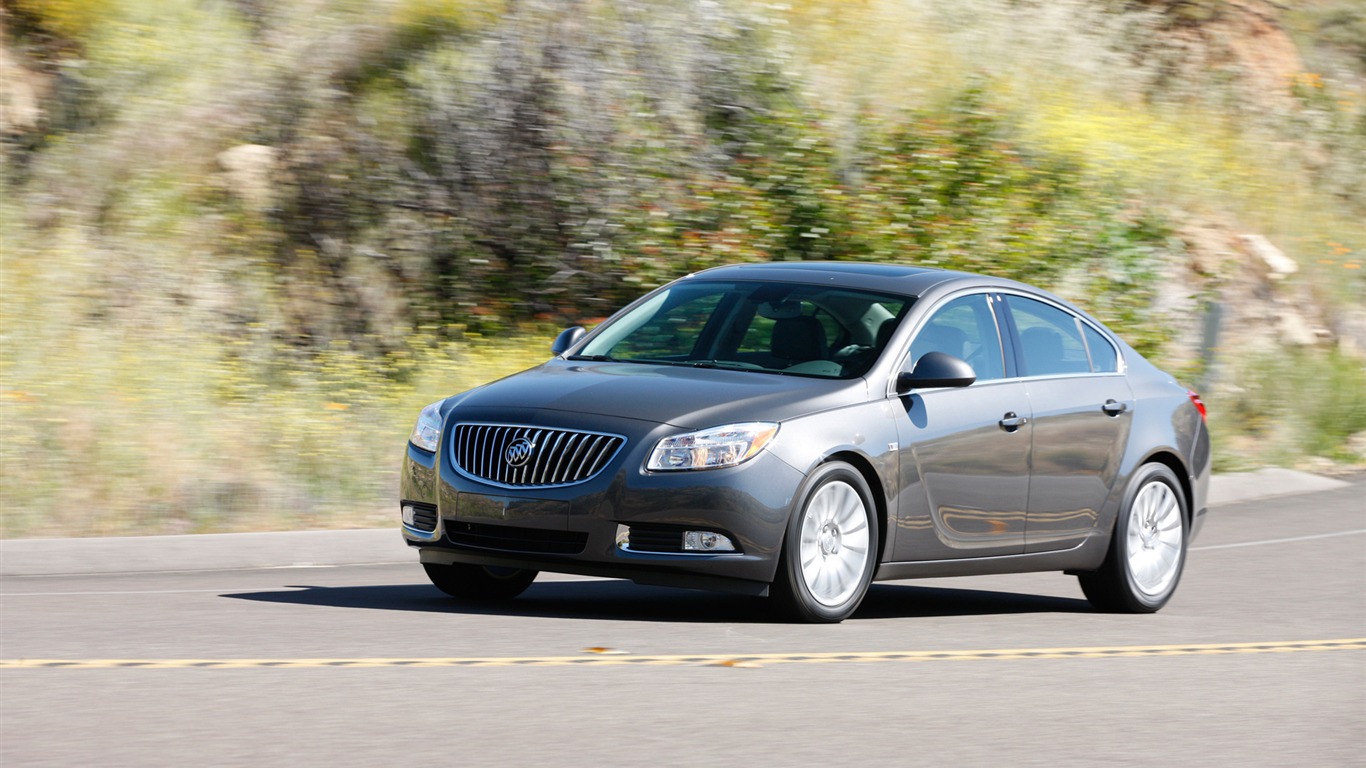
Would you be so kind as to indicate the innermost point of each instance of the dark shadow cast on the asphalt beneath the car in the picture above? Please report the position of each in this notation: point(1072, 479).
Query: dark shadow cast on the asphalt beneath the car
point(626, 602)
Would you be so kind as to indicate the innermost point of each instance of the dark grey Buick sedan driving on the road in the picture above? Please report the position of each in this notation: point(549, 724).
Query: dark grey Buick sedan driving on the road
point(803, 430)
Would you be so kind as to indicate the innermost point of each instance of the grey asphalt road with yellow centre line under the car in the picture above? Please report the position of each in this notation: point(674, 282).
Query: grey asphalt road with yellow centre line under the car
point(370, 666)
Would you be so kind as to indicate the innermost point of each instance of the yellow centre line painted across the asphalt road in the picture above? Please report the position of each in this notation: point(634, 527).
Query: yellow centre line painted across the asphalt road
point(700, 659)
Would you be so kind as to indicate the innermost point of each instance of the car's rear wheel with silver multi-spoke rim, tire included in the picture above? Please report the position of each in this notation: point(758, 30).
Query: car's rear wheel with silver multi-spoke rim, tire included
point(1148, 547)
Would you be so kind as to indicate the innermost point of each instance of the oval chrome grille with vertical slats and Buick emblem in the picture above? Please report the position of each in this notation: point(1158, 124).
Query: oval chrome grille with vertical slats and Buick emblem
point(544, 458)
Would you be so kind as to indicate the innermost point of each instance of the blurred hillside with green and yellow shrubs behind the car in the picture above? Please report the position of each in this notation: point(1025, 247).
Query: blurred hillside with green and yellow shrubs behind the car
point(244, 243)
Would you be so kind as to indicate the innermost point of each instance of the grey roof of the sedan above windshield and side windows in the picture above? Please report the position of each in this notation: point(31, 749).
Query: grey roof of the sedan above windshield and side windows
point(887, 278)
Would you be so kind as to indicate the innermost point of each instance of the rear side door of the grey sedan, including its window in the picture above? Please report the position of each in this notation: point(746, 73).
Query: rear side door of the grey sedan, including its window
point(1083, 411)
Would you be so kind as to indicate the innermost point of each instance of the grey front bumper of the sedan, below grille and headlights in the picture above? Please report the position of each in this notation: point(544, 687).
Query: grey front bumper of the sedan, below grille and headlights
point(576, 530)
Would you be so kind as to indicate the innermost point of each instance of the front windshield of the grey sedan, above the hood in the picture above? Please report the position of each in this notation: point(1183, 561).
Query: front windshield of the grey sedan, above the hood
point(768, 327)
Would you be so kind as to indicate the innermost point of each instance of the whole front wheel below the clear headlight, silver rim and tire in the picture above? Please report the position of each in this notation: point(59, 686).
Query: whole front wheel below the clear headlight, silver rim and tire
point(830, 551)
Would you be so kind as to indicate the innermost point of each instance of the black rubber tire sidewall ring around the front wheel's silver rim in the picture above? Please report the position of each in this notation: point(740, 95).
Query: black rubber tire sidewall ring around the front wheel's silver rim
point(790, 568)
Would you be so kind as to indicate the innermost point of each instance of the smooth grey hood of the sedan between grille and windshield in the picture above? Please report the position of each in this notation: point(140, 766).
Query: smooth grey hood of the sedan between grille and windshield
point(691, 398)
